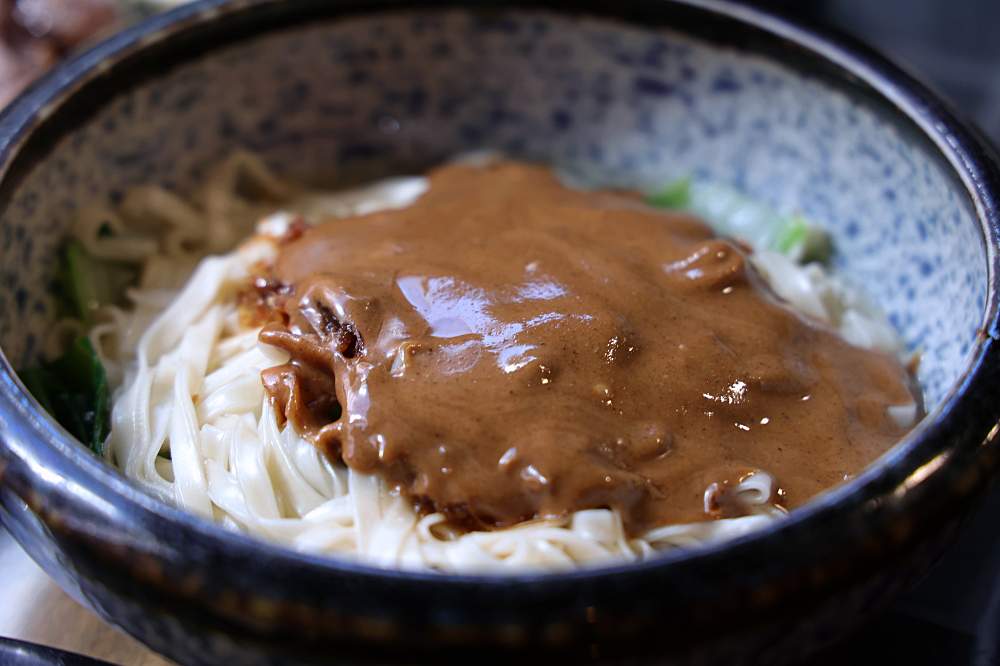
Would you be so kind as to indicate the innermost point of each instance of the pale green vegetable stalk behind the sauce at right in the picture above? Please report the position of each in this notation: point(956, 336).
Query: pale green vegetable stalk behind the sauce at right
point(732, 213)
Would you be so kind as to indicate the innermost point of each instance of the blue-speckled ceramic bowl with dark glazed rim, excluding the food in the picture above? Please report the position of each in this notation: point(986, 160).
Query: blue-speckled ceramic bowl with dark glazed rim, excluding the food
point(629, 93)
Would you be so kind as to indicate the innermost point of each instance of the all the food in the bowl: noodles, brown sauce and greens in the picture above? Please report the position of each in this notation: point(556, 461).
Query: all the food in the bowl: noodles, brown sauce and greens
point(483, 369)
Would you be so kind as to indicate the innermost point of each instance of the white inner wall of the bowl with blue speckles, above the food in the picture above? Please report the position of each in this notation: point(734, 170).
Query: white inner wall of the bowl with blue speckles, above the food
point(622, 105)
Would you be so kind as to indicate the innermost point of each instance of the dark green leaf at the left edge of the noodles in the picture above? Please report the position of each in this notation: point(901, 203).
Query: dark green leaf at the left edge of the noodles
point(74, 390)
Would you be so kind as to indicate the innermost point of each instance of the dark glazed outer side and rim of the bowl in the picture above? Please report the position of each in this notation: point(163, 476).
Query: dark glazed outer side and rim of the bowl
point(200, 594)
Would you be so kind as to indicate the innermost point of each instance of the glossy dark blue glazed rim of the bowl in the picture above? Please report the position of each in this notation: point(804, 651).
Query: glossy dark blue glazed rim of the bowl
point(902, 479)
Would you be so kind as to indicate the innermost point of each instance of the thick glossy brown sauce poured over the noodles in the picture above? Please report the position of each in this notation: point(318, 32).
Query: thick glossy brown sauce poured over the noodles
point(507, 348)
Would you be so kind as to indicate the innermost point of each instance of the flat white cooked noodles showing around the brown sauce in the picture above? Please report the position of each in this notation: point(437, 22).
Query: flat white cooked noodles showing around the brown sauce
point(192, 423)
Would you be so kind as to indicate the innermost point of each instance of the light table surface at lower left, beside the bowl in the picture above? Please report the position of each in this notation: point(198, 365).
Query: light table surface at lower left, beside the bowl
point(33, 608)
